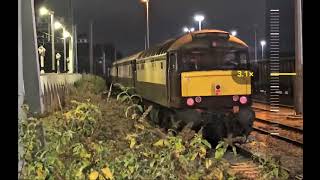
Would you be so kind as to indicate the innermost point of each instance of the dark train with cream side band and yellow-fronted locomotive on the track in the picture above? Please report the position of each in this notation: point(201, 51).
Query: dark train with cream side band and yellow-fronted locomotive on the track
point(202, 79)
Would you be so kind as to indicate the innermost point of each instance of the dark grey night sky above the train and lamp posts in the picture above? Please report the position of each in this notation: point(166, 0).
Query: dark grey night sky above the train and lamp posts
point(123, 21)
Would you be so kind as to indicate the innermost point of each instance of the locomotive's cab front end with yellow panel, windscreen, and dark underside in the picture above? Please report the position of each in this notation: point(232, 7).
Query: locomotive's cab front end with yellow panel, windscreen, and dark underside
point(209, 82)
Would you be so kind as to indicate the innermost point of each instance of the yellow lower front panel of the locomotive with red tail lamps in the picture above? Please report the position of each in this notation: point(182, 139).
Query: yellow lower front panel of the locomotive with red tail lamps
point(198, 88)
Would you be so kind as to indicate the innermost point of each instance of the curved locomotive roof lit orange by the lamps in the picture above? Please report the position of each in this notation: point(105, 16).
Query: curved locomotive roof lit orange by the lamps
point(176, 43)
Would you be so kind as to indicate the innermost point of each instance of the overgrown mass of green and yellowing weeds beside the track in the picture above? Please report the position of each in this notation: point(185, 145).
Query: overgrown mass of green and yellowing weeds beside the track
point(93, 139)
